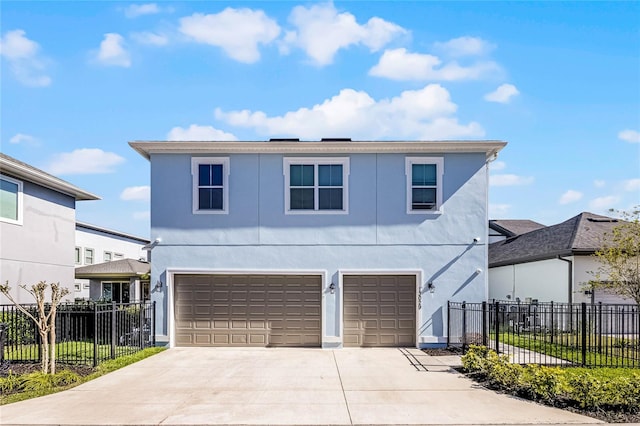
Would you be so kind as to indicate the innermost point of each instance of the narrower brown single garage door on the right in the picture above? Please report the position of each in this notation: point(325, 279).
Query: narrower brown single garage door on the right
point(379, 310)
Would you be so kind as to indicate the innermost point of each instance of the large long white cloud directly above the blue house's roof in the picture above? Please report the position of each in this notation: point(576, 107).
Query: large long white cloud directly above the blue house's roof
point(426, 113)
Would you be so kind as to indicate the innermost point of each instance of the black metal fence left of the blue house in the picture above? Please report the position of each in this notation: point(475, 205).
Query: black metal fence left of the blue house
point(86, 333)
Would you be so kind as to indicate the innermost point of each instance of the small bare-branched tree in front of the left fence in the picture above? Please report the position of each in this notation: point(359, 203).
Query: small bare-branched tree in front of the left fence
point(46, 319)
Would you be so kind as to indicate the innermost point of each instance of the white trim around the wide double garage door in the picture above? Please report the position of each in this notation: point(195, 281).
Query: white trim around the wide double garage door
point(170, 274)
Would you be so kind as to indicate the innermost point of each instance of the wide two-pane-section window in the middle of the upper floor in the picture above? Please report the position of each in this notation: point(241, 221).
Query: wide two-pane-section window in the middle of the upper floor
point(316, 185)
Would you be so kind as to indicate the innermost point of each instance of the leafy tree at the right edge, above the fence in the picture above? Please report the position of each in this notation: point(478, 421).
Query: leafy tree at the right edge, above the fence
point(619, 258)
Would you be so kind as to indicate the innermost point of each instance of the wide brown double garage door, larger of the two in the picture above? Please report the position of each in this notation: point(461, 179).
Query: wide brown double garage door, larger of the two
point(247, 310)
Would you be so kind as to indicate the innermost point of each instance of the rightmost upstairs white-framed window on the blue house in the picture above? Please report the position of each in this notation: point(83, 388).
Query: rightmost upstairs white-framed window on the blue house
point(424, 184)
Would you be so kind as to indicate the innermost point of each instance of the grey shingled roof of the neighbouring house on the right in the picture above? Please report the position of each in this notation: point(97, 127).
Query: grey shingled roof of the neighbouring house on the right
point(582, 234)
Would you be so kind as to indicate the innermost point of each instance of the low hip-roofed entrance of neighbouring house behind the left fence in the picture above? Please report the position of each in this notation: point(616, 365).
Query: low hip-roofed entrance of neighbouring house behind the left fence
point(120, 281)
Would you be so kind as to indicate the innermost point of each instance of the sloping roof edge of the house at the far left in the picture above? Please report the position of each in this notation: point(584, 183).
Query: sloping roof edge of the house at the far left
point(15, 168)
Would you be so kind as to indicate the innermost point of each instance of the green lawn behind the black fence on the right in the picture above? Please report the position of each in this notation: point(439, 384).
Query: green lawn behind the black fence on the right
point(615, 352)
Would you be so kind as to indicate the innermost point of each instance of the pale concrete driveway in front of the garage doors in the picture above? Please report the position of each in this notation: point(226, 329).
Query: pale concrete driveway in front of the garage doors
point(206, 386)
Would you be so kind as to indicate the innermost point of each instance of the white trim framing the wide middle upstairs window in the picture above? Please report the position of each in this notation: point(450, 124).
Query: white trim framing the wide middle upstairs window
point(316, 161)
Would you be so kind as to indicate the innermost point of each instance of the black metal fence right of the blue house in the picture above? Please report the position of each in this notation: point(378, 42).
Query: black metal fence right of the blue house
point(593, 335)
